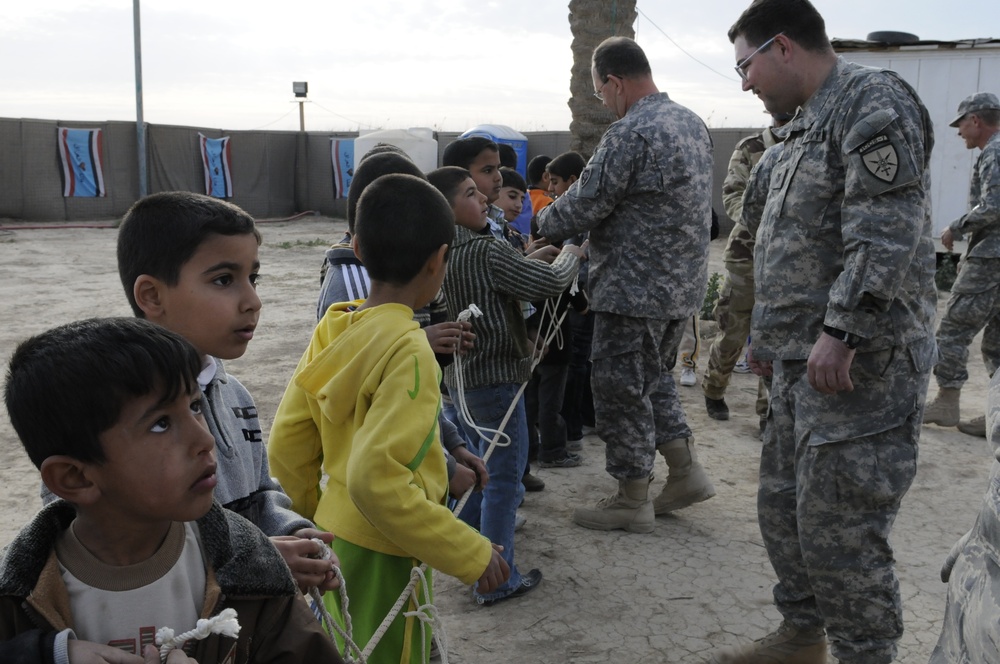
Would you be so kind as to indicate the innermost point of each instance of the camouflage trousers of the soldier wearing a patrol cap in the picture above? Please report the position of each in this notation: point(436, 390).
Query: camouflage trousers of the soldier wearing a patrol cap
point(974, 305)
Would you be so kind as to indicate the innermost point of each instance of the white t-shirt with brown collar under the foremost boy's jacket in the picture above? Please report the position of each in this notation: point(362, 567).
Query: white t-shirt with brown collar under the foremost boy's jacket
point(125, 606)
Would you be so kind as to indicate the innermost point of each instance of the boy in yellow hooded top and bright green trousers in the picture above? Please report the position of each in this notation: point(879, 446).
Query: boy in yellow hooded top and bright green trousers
point(363, 407)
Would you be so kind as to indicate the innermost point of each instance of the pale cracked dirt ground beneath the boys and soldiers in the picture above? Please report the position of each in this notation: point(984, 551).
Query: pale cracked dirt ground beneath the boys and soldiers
point(700, 581)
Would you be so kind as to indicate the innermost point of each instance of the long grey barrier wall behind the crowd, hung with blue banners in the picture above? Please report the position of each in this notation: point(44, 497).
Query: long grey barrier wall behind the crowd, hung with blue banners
point(274, 173)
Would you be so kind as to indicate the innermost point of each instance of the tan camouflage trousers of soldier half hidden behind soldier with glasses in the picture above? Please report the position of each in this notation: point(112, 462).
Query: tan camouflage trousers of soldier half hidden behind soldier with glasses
point(732, 313)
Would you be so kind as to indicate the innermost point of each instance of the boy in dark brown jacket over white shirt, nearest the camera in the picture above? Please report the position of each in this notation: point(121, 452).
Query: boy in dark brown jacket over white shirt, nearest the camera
point(129, 551)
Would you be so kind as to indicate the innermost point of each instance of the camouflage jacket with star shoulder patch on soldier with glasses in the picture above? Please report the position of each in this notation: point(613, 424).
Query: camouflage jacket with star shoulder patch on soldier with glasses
point(845, 238)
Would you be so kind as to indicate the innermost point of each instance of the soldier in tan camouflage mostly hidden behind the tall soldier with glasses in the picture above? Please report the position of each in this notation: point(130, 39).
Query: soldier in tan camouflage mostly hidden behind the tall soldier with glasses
point(732, 310)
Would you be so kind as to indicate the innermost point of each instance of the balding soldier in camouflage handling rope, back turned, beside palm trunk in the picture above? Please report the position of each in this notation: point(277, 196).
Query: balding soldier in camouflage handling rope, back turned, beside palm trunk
point(645, 194)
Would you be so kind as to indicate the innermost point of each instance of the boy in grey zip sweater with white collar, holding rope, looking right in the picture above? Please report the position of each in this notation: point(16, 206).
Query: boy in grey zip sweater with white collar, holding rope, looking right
point(189, 262)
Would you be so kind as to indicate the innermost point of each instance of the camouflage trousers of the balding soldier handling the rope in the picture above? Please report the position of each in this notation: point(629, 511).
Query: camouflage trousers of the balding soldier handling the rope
point(635, 397)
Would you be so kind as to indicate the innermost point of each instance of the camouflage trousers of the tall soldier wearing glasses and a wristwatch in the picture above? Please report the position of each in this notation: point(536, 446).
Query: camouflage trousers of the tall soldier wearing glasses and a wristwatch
point(833, 471)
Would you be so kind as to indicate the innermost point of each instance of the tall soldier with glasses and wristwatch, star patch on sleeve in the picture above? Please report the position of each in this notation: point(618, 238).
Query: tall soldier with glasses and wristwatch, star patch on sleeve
point(845, 302)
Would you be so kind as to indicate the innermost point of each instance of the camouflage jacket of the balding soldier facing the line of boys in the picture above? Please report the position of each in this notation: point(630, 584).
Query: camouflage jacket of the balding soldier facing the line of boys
point(646, 197)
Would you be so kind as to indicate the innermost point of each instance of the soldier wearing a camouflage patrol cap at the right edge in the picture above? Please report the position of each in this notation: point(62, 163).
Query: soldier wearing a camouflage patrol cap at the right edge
point(975, 295)
